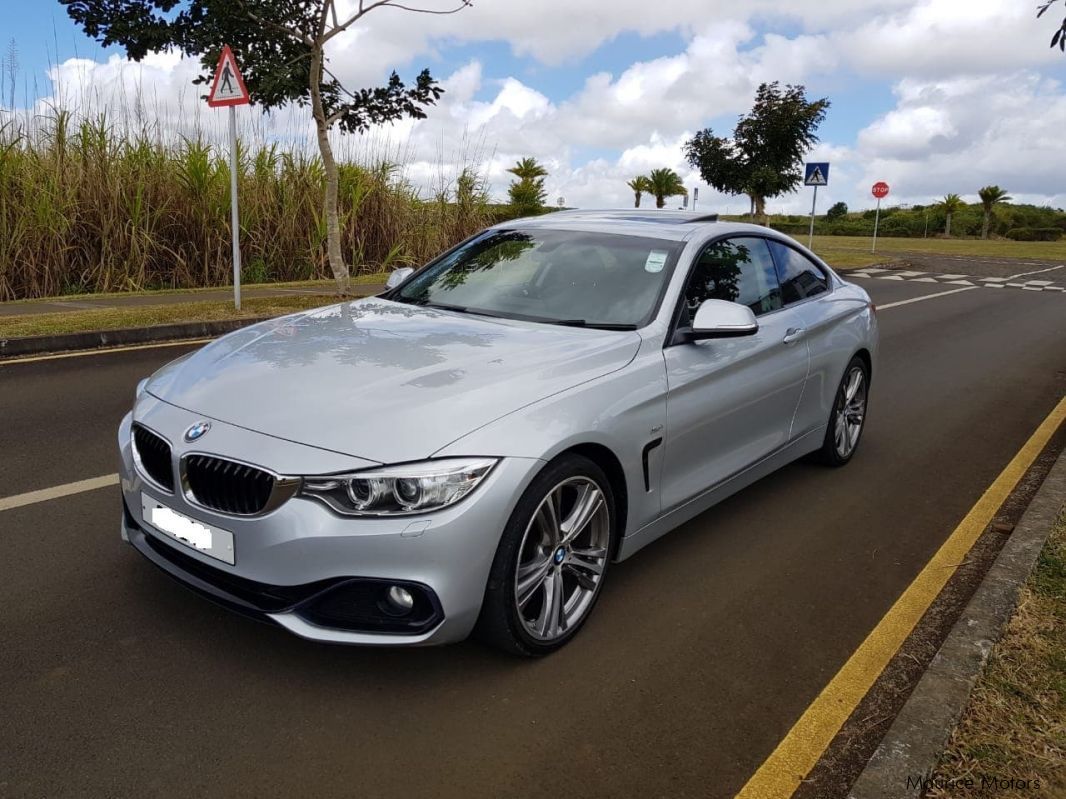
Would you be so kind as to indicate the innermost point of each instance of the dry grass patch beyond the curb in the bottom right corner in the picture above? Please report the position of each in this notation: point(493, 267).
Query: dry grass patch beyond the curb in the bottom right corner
point(1012, 739)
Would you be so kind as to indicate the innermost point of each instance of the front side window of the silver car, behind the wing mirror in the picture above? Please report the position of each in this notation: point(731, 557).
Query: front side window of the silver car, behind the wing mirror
point(737, 270)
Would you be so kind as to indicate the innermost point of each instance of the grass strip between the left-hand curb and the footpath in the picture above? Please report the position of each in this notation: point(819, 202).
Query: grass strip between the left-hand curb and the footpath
point(114, 319)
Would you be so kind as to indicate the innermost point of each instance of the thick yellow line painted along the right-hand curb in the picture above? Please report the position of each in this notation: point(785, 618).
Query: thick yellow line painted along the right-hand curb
point(780, 776)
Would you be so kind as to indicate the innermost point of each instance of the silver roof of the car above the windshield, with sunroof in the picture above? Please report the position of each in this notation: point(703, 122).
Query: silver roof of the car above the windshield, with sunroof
point(652, 224)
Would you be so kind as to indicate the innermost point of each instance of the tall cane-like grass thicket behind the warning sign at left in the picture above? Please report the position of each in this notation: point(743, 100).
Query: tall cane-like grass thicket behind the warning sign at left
point(95, 206)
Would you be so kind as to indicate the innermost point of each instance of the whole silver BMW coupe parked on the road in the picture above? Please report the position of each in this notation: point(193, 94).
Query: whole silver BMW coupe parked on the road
point(473, 449)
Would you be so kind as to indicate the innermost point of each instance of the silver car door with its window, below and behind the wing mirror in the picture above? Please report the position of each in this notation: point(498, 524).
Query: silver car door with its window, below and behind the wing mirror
point(731, 402)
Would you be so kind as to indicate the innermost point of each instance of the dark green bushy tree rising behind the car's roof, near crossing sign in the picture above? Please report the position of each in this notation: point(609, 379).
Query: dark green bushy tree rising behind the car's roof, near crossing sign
point(765, 157)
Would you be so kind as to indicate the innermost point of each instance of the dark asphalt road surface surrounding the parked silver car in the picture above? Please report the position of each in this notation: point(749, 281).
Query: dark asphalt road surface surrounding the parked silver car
point(703, 653)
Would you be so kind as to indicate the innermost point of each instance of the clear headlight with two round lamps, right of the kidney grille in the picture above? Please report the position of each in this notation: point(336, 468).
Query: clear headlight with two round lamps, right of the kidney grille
point(413, 488)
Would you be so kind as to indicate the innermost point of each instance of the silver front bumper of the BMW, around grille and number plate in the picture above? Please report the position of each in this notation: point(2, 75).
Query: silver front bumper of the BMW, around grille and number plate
point(302, 566)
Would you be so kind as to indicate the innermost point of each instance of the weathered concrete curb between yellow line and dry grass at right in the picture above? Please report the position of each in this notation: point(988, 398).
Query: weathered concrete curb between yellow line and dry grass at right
point(913, 745)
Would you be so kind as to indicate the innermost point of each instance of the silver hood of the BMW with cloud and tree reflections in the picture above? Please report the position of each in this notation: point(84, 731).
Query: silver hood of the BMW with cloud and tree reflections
point(383, 381)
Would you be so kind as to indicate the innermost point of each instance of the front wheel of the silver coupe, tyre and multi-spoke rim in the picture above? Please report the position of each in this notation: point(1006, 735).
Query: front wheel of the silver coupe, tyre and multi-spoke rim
point(537, 563)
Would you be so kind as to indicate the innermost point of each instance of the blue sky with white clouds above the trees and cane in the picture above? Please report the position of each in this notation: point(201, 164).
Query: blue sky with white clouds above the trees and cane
point(933, 96)
